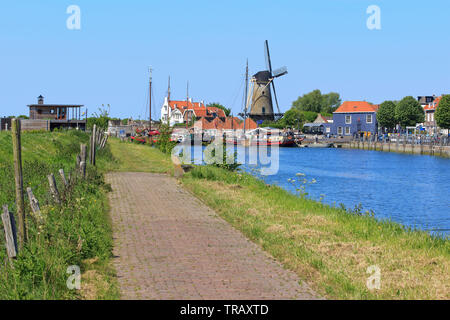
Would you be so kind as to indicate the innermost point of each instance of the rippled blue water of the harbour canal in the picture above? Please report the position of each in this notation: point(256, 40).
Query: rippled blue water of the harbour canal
point(410, 189)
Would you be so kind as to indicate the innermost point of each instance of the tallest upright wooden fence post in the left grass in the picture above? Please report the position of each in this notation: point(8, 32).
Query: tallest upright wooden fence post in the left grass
point(17, 150)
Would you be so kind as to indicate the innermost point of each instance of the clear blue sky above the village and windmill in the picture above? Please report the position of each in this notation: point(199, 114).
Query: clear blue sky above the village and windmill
point(325, 44)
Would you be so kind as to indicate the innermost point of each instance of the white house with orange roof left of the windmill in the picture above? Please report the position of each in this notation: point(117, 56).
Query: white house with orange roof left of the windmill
point(178, 112)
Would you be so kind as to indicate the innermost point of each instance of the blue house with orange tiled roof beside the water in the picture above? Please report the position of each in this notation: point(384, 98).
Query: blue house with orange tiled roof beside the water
point(355, 117)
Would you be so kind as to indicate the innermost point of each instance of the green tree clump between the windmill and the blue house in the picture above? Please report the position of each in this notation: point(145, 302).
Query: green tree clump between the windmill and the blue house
point(315, 101)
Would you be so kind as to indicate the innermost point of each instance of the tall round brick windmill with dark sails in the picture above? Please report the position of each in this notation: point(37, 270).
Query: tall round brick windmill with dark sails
point(262, 84)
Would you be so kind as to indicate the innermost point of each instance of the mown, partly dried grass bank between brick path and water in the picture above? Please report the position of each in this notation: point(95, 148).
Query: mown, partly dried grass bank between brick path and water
point(327, 247)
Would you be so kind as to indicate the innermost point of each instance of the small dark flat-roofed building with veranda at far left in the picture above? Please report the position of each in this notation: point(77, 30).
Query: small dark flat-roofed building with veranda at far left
point(56, 115)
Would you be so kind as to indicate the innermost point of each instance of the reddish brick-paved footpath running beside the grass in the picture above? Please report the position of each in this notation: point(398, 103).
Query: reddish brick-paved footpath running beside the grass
point(168, 245)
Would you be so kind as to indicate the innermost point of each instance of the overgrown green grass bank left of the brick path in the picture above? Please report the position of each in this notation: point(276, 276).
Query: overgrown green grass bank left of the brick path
point(75, 233)
